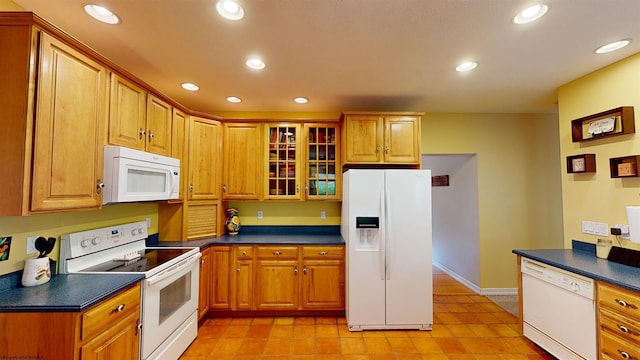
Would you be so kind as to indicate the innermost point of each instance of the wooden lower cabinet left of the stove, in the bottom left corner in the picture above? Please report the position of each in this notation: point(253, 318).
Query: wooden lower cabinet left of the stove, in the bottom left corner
point(108, 330)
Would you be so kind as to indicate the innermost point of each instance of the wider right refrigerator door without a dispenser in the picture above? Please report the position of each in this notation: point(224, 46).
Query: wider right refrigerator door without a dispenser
point(409, 286)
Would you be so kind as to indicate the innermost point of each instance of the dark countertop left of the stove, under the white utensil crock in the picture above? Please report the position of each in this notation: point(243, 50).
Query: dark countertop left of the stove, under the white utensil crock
point(66, 293)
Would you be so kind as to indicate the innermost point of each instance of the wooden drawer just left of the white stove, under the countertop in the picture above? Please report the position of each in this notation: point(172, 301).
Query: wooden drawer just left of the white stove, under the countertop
point(109, 312)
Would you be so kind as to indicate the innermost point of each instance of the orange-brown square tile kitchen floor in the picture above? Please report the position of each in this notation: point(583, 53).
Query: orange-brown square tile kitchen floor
point(466, 326)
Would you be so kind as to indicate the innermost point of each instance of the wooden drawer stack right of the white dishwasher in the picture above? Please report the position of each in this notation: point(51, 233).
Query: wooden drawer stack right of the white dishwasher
point(618, 322)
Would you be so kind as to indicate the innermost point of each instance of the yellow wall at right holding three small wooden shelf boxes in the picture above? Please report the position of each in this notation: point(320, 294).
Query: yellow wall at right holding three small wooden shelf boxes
point(598, 197)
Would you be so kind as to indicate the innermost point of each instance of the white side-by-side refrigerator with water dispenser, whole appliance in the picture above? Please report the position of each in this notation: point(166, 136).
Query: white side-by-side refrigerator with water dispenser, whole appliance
point(386, 224)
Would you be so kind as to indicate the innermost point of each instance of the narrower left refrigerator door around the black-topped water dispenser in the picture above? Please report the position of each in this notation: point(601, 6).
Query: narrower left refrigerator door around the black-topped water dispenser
point(365, 281)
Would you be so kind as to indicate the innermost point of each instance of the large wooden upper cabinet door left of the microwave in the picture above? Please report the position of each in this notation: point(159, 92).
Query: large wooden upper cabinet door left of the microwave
point(69, 128)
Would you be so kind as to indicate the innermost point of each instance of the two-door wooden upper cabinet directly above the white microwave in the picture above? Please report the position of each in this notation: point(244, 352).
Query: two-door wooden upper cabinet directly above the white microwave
point(138, 120)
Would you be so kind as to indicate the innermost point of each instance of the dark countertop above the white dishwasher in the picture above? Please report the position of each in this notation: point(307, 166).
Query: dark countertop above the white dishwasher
point(584, 262)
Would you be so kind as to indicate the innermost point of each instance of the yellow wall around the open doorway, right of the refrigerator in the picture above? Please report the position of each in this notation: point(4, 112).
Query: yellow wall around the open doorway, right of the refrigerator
point(518, 183)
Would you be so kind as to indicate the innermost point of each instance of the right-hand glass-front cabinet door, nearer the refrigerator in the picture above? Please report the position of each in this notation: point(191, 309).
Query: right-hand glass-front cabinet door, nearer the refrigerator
point(322, 162)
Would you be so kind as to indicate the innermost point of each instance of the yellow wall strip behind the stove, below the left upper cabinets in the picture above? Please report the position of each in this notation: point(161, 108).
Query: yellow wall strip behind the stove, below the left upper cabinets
point(54, 225)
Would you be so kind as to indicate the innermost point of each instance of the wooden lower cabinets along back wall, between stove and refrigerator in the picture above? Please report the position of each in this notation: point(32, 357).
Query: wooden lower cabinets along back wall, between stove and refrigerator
point(273, 278)
